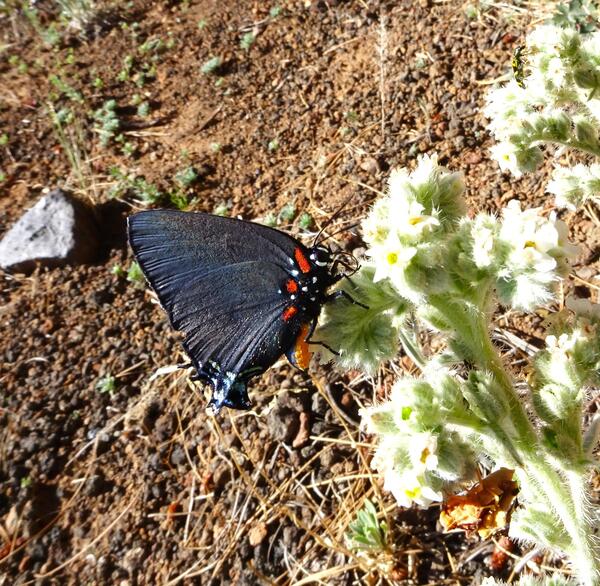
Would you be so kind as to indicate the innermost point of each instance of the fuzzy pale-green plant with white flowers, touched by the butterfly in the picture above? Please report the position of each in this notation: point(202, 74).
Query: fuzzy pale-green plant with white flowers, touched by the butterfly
point(429, 263)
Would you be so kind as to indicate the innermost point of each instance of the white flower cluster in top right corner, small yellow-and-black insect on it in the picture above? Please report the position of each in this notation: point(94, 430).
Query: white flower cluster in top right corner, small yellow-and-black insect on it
point(558, 102)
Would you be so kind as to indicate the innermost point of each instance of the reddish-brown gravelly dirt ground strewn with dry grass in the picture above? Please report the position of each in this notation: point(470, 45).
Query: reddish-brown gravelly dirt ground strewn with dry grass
point(127, 480)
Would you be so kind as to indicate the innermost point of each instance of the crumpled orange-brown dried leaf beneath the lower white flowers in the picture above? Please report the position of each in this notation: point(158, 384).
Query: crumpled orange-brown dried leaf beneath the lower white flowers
point(485, 507)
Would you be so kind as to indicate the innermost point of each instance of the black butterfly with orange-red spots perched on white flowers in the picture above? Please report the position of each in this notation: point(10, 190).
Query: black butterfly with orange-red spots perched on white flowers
point(242, 293)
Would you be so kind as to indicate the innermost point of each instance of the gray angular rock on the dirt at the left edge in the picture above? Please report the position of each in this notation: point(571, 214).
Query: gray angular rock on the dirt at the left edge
point(59, 229)
